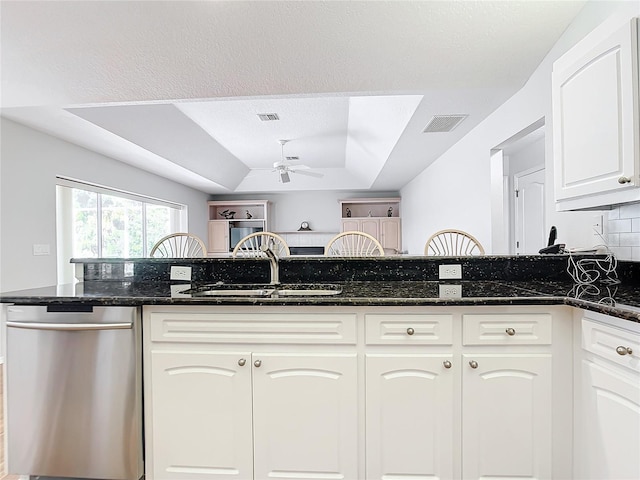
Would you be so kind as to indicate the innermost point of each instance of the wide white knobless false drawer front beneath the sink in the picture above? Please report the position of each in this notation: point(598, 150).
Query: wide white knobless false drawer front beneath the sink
point(308, 328)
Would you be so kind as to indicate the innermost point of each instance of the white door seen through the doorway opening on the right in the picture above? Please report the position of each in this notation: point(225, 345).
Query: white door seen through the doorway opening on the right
point(529, 231)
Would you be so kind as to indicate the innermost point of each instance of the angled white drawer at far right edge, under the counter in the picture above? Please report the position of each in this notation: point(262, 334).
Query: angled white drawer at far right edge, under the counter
point(612, 343)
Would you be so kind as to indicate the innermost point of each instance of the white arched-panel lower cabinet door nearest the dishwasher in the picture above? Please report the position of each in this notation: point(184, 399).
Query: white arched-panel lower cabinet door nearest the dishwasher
point(201, 419)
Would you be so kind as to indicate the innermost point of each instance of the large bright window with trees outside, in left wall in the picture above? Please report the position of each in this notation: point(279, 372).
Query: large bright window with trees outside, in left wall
point(95, 221)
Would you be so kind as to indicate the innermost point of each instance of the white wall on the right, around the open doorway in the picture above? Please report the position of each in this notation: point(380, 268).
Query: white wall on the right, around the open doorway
point(455, 191)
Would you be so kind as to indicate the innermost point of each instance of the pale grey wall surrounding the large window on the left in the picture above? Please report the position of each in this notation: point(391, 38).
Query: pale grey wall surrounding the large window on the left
point(29, 163)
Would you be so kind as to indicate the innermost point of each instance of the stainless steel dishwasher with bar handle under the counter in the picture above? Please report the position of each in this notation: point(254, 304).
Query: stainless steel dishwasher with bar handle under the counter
point(74, 392)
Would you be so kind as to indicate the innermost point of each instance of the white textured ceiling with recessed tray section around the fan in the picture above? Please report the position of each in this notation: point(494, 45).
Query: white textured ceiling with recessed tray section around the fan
point(174, 87)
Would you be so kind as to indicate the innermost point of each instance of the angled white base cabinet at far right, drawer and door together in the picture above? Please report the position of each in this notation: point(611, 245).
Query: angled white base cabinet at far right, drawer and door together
point(607, 418)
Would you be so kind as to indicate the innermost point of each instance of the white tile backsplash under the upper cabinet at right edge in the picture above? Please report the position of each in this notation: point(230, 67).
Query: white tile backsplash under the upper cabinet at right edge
point(622, 231)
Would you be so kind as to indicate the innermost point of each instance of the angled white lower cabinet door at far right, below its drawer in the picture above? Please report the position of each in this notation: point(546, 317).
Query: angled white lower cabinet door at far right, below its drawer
point(610, 423)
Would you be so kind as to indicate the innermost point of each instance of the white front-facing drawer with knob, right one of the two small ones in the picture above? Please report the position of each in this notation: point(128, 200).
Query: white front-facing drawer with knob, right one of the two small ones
point(507, 329)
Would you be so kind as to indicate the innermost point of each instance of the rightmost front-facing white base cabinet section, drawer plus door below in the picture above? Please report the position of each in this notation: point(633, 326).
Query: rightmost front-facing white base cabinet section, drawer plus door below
point(507, 403)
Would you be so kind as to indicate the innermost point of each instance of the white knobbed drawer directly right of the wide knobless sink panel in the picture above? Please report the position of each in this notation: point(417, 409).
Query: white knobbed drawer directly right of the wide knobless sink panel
point(408, 329)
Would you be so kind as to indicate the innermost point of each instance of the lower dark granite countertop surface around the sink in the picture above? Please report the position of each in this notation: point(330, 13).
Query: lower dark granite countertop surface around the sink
point(620, 300)
